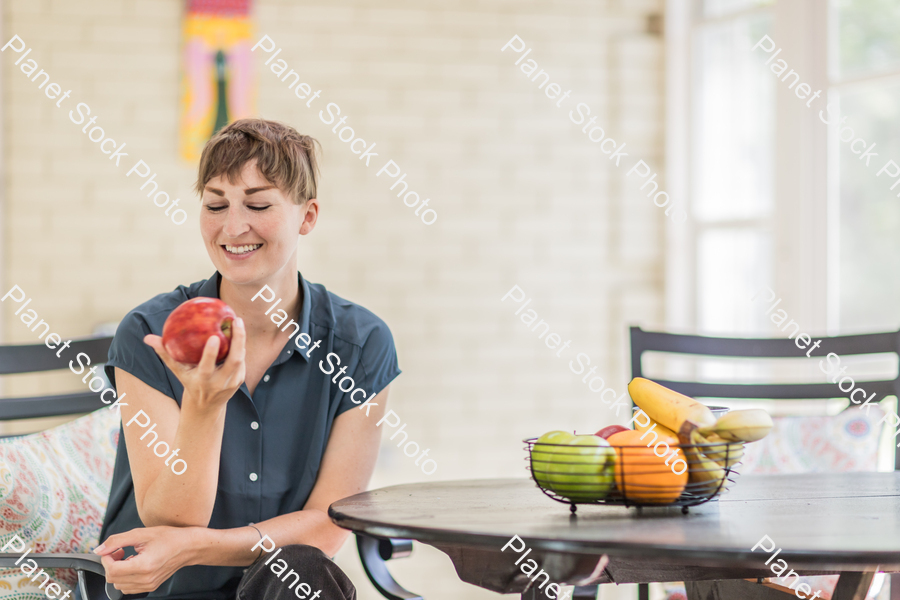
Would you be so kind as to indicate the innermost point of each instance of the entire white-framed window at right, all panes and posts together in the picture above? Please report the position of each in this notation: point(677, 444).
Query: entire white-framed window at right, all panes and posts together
point(776, 197)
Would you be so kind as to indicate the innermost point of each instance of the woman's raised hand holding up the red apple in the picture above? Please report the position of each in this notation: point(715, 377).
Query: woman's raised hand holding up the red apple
point(206, 386)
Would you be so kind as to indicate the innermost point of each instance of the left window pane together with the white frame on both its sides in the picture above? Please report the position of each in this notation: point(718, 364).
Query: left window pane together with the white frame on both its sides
point(752, 165)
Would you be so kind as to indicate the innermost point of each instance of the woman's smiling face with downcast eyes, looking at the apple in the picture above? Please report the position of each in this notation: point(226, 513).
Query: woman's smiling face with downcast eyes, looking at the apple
point(250, 227)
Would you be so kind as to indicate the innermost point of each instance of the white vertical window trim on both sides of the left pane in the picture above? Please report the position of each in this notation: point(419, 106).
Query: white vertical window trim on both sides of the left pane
point(805, 217)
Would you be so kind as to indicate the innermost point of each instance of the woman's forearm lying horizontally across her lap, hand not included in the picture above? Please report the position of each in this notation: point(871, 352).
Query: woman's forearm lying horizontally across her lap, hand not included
point(233, 547)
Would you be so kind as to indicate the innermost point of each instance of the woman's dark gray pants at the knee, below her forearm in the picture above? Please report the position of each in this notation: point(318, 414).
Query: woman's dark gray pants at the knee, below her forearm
point(311, 567)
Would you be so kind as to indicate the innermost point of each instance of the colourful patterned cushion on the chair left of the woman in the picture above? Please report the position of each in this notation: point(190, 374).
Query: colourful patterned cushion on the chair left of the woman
point(54, 486)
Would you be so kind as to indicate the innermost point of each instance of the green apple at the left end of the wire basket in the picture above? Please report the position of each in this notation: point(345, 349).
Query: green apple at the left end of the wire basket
point(580, 468)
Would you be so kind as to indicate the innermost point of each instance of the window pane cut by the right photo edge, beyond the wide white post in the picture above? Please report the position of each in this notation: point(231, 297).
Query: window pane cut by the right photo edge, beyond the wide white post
point(864, 45)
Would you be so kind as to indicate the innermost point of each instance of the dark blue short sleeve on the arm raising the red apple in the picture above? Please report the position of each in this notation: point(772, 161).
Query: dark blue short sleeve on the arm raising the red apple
point(129, 353)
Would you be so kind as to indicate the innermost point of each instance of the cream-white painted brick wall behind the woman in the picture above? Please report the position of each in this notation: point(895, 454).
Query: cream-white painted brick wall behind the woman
point(523, 198)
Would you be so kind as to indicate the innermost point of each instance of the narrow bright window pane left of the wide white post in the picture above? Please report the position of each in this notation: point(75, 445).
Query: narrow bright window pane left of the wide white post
point(731, 175)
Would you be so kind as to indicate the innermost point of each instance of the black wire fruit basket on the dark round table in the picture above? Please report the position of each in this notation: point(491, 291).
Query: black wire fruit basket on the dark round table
point(633, 475)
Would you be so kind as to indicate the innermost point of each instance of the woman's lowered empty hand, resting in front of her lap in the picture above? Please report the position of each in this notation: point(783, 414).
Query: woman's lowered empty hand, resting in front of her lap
point(160, 552)
